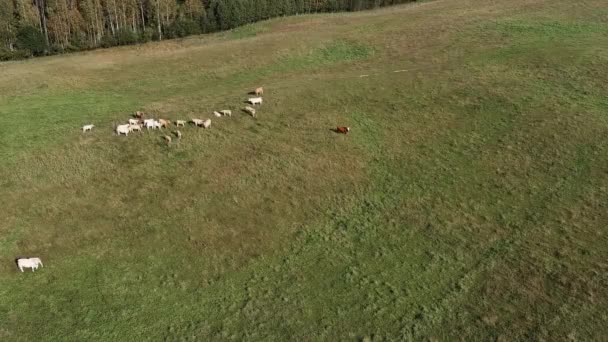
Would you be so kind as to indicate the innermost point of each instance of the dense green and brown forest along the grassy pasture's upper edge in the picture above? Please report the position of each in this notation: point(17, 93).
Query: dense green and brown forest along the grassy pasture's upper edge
point(42, 27)
